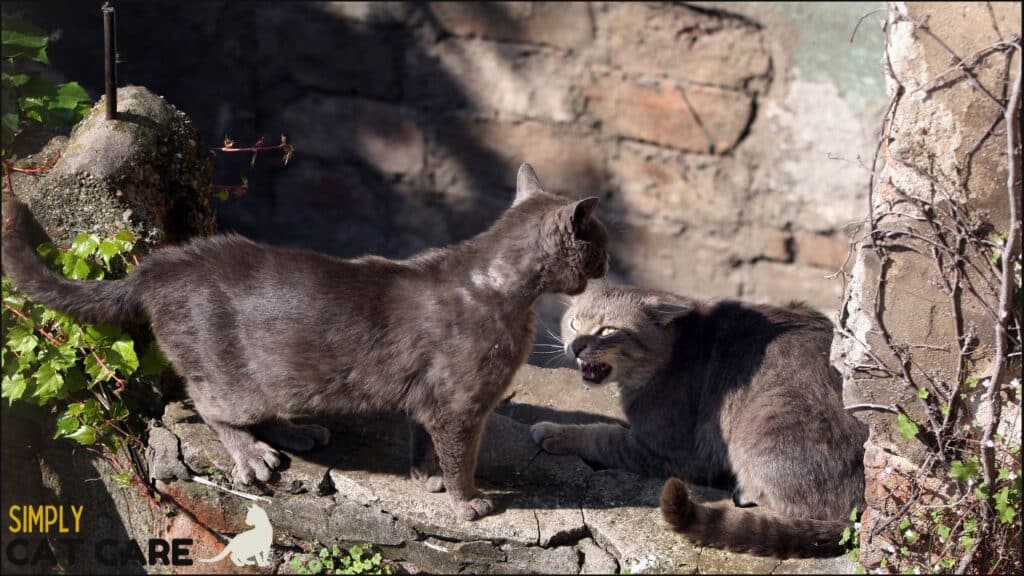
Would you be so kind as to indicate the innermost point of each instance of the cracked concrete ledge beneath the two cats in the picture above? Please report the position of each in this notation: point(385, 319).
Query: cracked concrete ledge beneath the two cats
point(556, 514)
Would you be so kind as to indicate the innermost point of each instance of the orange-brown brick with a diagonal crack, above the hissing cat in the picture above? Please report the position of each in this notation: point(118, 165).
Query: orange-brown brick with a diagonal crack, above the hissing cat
point(692, 118)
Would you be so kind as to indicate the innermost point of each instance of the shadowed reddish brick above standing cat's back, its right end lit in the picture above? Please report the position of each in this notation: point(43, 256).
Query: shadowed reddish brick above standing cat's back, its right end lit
point(385, 137)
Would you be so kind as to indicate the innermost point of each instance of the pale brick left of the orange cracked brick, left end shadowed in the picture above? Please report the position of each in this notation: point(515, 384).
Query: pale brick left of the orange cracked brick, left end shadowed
point(496, 80)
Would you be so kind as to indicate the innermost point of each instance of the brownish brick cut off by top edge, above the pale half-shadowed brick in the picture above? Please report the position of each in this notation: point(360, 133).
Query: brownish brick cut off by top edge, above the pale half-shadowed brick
point(567, 25)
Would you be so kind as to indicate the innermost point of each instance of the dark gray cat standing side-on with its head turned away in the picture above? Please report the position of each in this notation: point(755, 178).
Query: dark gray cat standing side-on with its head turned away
point(260, 333)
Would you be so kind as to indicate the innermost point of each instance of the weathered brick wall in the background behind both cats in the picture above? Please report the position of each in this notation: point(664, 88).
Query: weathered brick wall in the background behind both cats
point(706, 131)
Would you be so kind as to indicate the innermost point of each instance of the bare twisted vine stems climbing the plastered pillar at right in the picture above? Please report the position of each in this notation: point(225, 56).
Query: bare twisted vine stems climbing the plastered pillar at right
point(942, 229)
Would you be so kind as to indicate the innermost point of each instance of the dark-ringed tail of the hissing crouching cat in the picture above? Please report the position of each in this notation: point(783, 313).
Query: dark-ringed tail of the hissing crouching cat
point(744, 531)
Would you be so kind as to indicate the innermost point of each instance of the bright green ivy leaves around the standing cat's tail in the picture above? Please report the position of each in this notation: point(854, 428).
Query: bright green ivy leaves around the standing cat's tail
point(75, 371)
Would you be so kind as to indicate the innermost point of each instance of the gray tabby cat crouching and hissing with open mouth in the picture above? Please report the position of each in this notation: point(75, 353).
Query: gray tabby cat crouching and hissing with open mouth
point(716, 389)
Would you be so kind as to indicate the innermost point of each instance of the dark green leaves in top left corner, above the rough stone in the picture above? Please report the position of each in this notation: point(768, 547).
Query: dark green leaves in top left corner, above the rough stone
point(27, 97)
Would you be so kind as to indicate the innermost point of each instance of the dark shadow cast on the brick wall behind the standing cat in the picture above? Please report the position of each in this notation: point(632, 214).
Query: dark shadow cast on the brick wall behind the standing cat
point(238, 69)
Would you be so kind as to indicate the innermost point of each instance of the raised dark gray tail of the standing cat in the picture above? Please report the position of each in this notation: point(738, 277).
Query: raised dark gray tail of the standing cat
point(101, 302)
